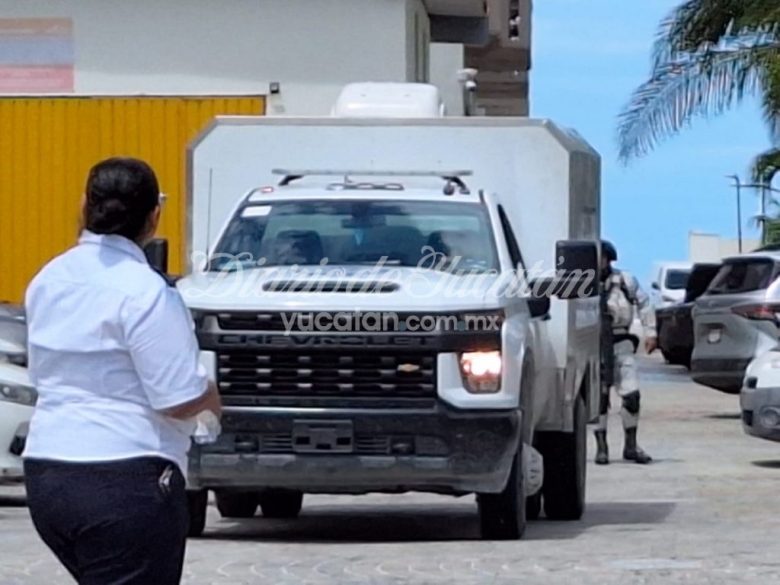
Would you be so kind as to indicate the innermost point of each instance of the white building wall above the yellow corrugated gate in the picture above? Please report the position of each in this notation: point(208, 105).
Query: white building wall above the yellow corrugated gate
point(197, 47)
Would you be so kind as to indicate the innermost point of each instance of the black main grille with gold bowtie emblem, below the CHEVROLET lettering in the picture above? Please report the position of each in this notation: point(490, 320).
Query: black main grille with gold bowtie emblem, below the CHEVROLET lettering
point(338, 379)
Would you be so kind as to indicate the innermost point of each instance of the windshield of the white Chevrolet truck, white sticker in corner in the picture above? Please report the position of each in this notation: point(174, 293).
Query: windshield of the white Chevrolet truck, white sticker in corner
point(448, 236)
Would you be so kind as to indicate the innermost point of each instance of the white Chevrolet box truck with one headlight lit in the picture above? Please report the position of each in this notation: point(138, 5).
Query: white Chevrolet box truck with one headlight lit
point(359, 288)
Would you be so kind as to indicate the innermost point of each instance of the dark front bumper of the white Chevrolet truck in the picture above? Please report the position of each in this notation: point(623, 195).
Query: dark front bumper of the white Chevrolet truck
point(439, 450)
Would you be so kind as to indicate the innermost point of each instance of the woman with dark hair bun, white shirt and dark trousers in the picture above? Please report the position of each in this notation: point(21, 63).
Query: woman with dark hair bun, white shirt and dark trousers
point(113, 355)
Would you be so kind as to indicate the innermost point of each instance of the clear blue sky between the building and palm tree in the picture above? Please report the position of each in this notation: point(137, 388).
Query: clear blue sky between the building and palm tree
point(588, 56)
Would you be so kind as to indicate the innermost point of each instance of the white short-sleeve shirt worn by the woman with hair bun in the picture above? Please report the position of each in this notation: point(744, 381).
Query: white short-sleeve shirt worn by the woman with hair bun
point(110, 346)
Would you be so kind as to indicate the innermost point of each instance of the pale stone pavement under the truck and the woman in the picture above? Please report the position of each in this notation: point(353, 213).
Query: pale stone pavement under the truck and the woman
point(705, 512)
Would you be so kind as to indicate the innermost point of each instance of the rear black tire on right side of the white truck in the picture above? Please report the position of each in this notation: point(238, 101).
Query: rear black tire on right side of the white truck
point(565, 461)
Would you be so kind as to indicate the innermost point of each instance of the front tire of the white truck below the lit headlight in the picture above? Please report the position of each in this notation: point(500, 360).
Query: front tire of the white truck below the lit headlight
point(502, 515)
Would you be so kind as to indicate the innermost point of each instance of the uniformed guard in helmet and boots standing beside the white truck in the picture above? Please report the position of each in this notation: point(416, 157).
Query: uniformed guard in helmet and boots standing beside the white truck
point(623, 296)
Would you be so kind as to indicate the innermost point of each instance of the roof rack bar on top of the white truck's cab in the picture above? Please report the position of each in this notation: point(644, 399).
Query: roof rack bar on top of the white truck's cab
point(453, 178)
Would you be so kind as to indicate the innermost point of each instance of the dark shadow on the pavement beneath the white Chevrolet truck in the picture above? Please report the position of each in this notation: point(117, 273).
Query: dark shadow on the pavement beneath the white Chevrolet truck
point(388, 524)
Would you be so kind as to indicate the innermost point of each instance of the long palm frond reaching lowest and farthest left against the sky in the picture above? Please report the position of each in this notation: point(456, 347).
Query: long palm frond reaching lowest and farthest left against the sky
point(696, 84)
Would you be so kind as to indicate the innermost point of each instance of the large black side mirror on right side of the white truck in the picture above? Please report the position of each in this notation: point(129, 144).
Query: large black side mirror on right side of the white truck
point(577, 269)
